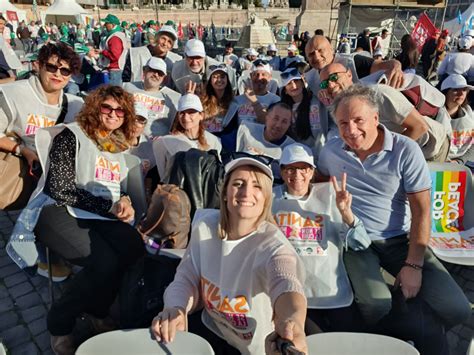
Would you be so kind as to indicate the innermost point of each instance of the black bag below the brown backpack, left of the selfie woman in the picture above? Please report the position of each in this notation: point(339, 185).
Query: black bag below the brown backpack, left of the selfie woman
point(142, 289)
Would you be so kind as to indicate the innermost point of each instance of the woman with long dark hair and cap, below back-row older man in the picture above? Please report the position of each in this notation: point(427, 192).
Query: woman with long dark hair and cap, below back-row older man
point(217, 98)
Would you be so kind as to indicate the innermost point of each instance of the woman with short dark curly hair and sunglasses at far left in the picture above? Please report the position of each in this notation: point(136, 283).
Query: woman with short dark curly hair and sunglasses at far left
point(28, 105)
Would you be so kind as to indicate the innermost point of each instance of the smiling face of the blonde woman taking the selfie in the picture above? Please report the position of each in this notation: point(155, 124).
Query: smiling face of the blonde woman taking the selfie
point(244, 195)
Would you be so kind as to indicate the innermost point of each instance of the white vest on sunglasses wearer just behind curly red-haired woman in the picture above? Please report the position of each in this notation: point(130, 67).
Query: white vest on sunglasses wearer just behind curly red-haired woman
point(161, 106)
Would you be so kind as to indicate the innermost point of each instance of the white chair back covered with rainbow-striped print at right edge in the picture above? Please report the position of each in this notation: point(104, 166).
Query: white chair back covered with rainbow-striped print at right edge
point(451, 196)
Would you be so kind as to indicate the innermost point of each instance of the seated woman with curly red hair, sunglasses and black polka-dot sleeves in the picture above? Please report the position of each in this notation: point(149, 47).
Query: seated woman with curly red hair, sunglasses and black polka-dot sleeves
point(86, 214)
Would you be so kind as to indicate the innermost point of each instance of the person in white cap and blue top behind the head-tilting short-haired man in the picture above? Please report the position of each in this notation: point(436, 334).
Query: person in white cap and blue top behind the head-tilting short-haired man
point(252, 105)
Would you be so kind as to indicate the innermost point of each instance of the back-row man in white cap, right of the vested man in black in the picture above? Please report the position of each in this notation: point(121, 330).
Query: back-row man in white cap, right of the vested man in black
point(195, 67)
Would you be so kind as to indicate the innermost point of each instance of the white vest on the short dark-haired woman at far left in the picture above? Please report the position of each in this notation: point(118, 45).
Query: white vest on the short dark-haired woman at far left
point(27, 112)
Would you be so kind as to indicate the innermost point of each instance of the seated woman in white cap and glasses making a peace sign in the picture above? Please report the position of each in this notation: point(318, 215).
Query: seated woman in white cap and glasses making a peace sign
point(318, 221)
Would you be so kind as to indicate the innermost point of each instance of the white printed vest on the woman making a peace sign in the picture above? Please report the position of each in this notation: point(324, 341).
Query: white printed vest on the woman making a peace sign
point(314, 227)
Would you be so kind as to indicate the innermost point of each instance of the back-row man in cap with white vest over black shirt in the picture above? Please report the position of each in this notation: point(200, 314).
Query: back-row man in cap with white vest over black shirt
point(166, 37)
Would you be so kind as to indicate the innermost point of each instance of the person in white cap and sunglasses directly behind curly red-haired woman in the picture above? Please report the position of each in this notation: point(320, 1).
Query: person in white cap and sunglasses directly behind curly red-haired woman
point(159, 101)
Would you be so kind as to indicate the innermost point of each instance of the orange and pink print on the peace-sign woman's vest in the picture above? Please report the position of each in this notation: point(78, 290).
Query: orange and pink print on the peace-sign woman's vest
point(305, 233)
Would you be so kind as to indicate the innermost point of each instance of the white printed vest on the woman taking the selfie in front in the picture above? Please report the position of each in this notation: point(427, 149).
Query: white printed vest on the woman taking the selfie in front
point(233, 286)
